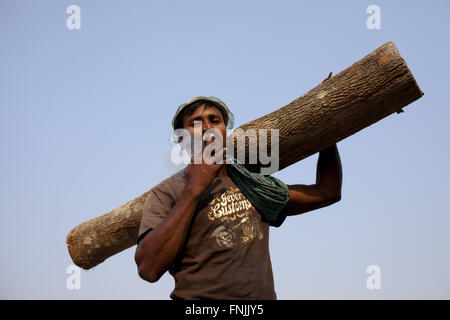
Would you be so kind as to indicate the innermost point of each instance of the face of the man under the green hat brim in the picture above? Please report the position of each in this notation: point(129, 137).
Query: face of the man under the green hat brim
point(209, 117)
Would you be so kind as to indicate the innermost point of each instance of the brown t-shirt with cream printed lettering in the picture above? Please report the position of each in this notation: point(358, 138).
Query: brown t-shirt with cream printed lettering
point(226, 254)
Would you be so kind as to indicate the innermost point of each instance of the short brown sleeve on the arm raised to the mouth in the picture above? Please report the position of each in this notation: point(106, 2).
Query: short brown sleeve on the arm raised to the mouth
point(156, 208)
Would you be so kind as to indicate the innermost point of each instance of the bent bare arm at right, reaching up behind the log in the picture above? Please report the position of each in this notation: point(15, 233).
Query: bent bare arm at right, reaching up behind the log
point(326, 190)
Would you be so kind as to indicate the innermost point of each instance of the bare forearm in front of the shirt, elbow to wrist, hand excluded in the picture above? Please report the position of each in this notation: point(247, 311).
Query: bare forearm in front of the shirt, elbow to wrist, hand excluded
point(158, 250)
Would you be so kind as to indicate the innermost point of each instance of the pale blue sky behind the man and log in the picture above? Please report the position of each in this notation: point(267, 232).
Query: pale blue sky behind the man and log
point(85, 123)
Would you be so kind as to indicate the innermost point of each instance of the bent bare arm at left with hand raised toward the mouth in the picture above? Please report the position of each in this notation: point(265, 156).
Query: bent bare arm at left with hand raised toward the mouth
point(157, 251)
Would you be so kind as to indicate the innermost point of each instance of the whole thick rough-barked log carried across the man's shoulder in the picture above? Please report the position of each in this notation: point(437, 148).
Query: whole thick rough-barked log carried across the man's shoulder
point(369, 90)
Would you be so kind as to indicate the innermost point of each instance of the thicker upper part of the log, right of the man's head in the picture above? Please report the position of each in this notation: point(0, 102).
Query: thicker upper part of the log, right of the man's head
point(369, 90)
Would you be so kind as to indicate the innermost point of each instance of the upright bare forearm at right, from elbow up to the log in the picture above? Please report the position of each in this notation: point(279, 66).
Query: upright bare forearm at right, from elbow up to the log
point(329, 170)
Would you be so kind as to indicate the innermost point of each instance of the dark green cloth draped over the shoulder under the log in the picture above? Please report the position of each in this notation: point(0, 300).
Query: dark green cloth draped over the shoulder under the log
point(267, 194)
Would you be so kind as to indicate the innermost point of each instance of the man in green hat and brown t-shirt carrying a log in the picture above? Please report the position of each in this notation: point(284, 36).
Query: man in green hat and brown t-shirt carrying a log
point(198, 225)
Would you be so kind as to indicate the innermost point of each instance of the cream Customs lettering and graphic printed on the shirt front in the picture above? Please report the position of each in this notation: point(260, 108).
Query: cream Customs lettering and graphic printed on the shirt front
point(239, 224)
